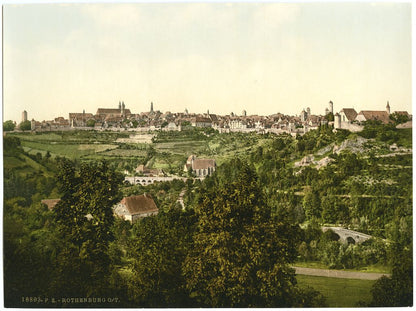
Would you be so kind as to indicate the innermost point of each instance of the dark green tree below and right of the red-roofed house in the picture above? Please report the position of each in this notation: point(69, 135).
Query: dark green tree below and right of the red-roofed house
point(159, 247)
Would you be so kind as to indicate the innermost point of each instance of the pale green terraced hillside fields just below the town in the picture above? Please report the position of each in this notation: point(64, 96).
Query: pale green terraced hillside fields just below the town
point(168, 151)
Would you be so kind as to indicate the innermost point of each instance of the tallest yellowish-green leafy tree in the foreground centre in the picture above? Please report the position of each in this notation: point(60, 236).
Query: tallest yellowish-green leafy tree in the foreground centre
point(240, 256)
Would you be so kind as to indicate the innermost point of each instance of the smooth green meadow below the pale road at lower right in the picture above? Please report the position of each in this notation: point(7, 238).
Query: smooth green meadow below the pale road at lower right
point(339, 292)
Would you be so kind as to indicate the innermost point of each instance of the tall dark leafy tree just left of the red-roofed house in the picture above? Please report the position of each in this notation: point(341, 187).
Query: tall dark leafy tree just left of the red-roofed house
point(84, 217)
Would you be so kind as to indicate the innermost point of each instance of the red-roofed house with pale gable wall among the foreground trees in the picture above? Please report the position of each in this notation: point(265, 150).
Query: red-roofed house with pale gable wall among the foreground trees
point(135, 207)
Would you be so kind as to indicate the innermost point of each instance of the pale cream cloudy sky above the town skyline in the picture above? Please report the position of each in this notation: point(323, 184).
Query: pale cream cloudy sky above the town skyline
point(264, 58)
